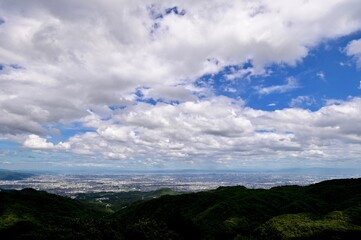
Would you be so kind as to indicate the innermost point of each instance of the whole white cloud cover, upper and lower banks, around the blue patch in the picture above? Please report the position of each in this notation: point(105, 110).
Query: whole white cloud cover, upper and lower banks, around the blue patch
point(92, 62)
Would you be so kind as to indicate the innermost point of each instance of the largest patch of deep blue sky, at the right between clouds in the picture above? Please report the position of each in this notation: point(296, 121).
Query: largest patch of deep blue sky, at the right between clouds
point(326, 73)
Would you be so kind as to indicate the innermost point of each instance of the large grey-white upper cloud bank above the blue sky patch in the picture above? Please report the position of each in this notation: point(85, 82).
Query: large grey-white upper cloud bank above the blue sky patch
point(80, 55)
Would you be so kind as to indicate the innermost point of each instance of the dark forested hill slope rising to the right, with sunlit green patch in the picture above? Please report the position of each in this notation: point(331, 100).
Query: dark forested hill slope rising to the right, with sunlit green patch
point(330, 209)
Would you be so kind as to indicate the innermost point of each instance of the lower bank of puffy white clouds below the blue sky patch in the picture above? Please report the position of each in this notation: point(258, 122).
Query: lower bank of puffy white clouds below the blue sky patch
point(221, 130)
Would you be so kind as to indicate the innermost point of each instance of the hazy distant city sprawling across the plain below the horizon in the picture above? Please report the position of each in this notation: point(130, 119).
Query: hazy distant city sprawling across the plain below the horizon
point(71, 185)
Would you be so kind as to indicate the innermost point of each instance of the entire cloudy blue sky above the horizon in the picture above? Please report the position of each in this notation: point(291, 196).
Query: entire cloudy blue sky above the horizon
point(207, 84)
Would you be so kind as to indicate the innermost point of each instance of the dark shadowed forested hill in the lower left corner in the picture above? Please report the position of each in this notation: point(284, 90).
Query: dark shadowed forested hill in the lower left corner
point(31, 214)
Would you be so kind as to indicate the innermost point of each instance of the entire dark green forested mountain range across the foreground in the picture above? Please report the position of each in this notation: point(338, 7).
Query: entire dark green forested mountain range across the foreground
point(327, 210)
